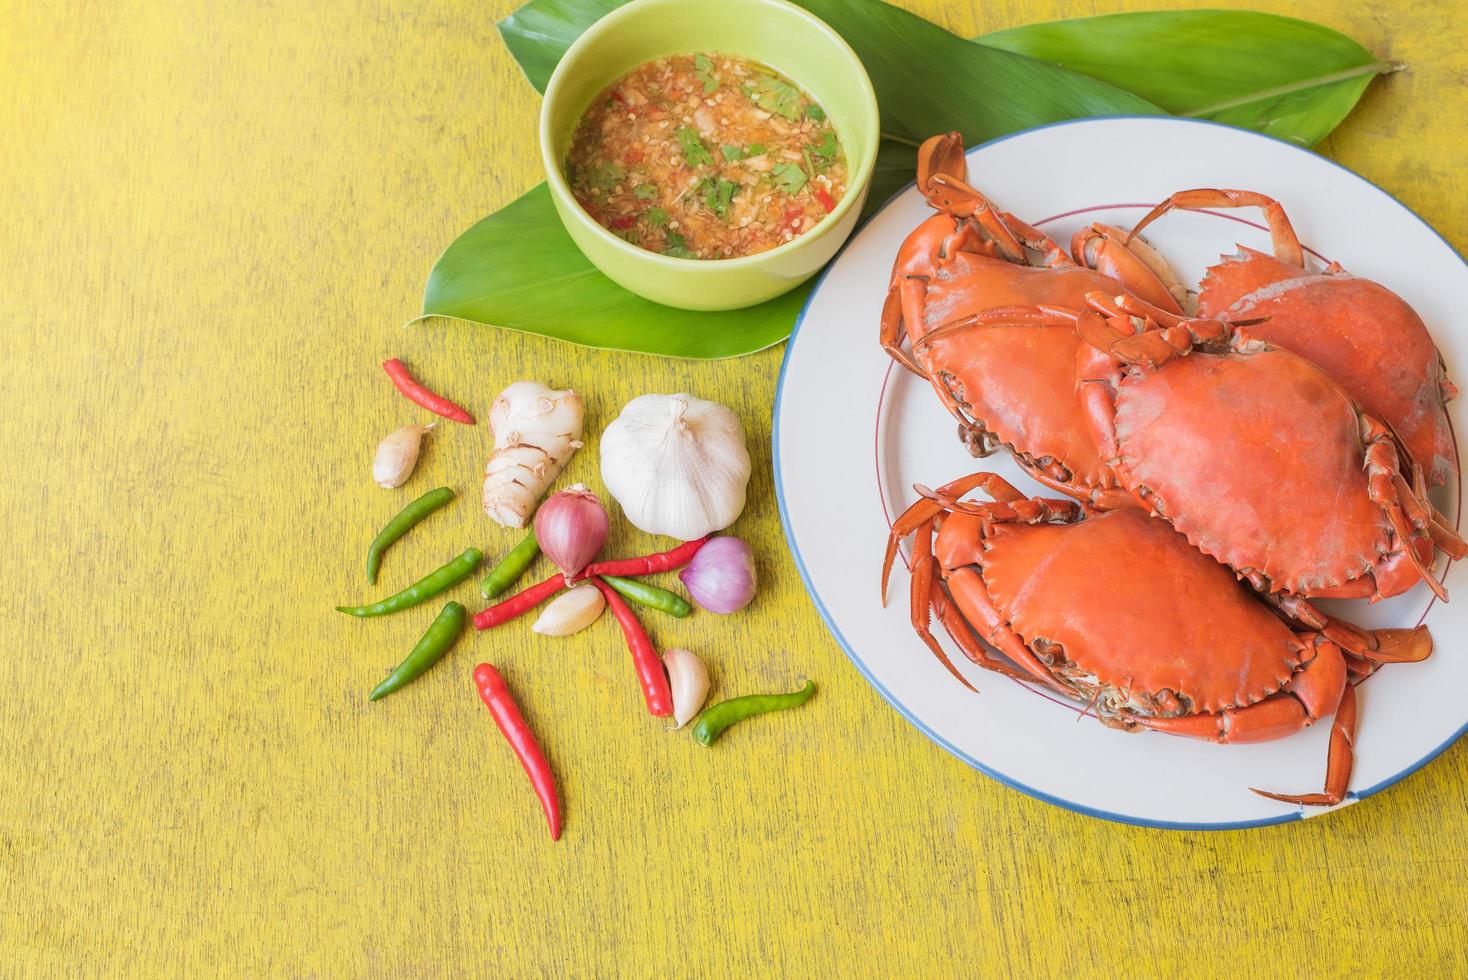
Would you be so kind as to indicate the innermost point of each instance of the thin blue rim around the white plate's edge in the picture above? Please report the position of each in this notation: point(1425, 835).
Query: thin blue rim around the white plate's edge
point(902, 709)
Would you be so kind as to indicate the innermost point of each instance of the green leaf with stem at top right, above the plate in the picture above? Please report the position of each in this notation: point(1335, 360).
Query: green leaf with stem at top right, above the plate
point(1278, 76)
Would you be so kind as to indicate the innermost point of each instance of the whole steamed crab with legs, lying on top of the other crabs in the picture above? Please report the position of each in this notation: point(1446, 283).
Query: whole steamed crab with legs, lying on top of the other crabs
point(1259, 458)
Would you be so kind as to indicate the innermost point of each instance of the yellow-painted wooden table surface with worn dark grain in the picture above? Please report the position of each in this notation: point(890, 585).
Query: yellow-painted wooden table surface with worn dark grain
point(217, 219)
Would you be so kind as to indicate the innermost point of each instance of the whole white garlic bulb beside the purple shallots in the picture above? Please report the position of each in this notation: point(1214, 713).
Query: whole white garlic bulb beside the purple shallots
point(677, 464)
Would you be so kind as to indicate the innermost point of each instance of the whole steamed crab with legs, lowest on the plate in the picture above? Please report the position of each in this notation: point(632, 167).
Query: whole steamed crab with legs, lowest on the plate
point(1168, 642)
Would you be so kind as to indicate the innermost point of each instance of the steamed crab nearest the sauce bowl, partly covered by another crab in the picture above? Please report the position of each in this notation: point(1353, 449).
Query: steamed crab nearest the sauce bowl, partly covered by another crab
point(1009, 381)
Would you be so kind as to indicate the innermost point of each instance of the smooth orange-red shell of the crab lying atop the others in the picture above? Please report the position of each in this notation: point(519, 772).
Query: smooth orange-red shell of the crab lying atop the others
point(1171, 426)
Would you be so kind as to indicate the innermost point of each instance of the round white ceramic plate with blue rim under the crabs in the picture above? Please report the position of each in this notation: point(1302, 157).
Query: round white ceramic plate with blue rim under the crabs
point(852, 436)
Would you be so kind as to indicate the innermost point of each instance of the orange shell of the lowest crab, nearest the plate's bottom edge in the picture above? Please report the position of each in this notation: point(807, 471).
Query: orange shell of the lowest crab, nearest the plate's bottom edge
point(1141, 636)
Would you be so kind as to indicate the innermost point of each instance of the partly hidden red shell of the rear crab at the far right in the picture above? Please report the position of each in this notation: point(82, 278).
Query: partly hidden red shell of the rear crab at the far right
point(1362, 334)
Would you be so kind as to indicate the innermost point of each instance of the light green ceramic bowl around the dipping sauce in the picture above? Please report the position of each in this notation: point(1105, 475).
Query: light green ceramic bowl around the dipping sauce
point(773, 33)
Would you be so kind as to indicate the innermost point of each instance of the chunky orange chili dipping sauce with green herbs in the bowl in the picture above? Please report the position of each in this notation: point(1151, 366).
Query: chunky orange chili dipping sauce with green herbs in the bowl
point(707, 156)
